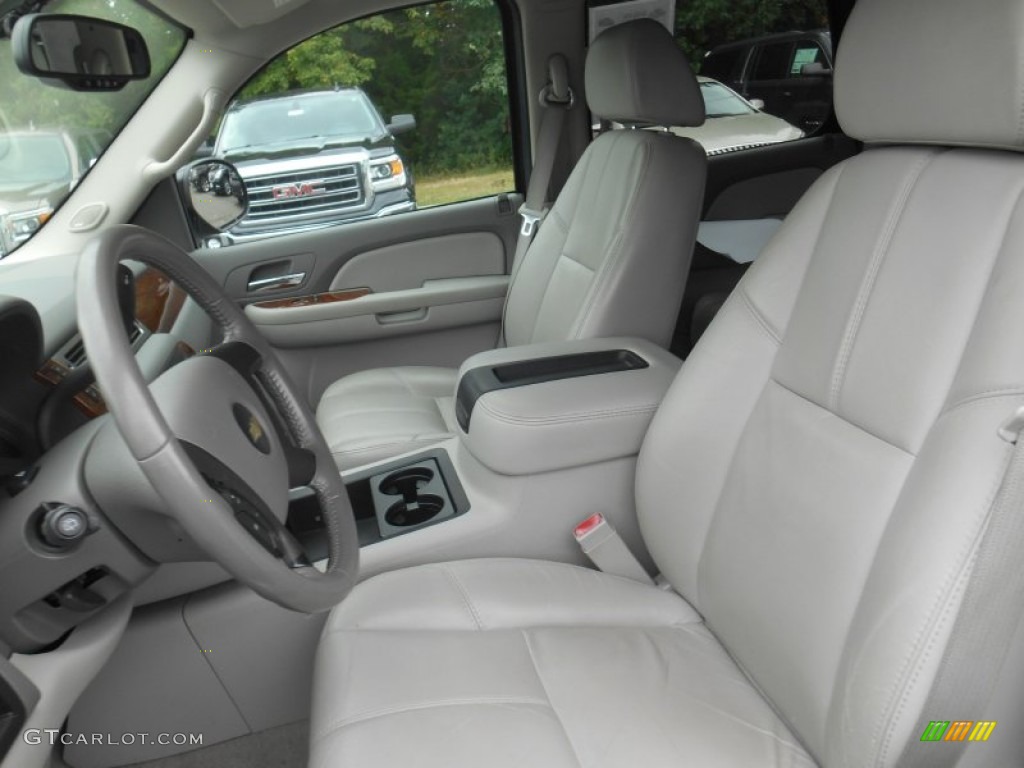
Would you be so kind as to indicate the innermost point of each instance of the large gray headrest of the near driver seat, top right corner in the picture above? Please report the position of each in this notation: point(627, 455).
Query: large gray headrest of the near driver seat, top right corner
point(933, 72)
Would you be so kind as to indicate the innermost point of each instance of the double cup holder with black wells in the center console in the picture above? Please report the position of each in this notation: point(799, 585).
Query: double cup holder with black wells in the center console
point(411, 497)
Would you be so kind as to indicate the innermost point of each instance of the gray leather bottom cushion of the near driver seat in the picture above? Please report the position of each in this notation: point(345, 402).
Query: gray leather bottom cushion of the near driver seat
point(516, 663)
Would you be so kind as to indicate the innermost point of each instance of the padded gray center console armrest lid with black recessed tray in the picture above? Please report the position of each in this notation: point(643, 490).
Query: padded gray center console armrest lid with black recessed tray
point(545, 407)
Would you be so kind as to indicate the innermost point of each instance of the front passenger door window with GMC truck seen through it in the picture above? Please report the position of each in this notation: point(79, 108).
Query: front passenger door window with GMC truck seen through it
point(374, 118)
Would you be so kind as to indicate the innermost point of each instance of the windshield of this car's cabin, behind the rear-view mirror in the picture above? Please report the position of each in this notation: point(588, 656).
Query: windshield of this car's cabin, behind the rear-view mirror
point(50, 137)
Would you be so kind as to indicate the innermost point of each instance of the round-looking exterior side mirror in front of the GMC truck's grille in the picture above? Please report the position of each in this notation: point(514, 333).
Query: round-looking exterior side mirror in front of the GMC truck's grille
point(215, 194)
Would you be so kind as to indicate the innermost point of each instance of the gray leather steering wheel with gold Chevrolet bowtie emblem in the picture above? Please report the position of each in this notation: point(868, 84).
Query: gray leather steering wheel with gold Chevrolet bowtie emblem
point(222, 437)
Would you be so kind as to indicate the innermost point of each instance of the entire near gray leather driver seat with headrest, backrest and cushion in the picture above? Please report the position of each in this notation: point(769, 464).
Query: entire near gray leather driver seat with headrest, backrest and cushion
point(815, 487)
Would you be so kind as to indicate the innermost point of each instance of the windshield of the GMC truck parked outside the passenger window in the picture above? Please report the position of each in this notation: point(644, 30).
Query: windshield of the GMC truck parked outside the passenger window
point(334, 116)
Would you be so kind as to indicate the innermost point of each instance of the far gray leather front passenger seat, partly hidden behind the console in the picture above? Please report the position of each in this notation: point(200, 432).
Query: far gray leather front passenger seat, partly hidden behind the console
point(611, 260)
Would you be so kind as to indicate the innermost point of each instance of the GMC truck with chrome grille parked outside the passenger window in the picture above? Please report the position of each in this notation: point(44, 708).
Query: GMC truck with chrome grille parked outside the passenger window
point(312, 159)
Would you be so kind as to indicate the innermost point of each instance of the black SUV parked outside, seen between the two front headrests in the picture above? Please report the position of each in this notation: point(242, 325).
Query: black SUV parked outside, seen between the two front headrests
point(791, 73)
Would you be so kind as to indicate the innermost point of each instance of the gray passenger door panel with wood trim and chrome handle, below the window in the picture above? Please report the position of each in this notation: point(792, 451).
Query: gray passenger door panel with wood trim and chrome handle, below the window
point(438, 279)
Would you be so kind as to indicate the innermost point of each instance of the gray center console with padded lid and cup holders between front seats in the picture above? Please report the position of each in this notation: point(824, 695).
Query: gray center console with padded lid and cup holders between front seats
point(567, 416)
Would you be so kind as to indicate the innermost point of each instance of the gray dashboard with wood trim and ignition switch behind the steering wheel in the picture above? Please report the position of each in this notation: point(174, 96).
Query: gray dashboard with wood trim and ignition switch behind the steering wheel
point(63, 464)
